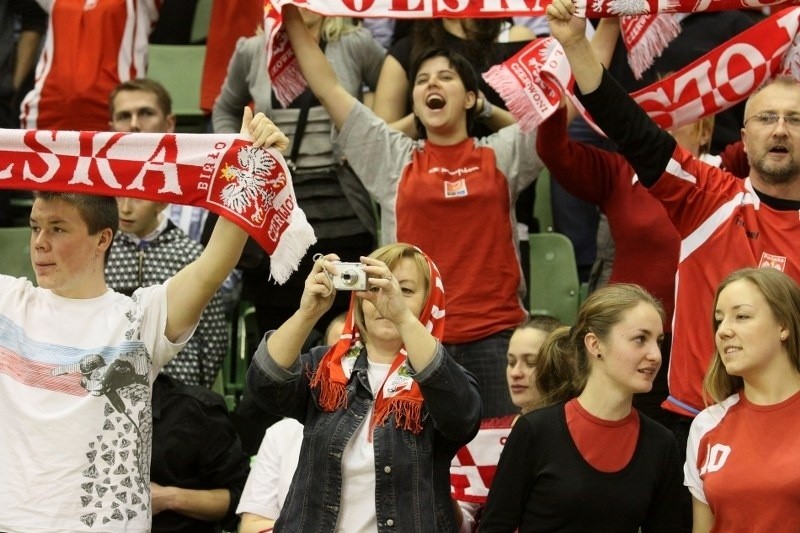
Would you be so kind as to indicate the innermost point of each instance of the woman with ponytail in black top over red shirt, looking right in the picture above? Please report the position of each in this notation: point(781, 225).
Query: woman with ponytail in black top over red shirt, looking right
point(586, 460)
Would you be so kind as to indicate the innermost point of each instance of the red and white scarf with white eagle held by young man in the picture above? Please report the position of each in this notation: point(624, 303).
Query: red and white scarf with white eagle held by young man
point(222, 173)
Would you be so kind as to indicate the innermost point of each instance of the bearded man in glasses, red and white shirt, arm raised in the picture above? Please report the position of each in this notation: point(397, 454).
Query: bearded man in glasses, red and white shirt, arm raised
point(725, 223)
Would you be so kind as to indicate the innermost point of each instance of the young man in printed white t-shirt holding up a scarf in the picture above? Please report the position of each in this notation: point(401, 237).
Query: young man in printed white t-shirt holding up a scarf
point(77, 361)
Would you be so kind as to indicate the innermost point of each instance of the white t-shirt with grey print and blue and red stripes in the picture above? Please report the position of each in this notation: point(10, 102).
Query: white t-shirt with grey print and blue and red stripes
point(75, 397)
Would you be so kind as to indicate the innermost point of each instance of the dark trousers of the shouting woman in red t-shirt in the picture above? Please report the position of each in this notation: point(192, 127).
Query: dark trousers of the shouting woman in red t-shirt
point(486, 359)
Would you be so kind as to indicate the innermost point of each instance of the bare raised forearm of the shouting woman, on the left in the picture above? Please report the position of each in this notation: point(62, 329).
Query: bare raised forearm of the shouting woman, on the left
point(315, 67)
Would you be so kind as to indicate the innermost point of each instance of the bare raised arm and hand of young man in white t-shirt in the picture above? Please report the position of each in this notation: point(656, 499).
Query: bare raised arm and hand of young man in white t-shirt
point(190, 290)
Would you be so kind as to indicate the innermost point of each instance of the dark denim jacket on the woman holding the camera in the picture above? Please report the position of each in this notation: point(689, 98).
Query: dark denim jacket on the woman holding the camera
point(412, 472)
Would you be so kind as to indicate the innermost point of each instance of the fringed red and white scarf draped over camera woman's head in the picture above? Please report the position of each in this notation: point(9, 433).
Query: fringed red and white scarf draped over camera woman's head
point(399, 394)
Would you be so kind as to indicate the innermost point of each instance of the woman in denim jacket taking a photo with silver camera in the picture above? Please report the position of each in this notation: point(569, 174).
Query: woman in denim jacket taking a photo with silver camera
point(380, 427)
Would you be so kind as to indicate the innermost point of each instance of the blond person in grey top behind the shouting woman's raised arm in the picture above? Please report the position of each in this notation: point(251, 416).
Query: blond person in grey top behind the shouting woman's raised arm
point(334, 201)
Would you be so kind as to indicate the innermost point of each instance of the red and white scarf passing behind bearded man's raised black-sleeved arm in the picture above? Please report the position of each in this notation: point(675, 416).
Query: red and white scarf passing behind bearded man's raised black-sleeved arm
point(531, 82)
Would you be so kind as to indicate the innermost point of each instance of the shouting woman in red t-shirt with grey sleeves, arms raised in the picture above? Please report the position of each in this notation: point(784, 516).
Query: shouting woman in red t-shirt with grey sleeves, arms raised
point(451, 194)
